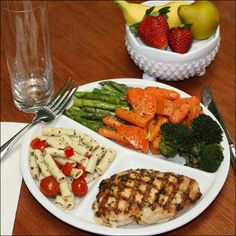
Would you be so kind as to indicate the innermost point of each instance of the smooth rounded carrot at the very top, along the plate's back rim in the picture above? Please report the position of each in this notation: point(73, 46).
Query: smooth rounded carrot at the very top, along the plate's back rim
point(163, 93)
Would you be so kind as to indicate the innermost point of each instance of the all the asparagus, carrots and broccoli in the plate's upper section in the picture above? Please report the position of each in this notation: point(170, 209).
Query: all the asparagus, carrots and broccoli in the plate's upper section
point(151, 119)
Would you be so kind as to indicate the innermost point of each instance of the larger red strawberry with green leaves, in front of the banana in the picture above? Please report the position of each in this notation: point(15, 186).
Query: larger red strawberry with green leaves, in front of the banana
point(153, 29)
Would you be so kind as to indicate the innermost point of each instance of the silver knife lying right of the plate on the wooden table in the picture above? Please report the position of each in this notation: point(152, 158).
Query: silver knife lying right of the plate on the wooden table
point(208, 101)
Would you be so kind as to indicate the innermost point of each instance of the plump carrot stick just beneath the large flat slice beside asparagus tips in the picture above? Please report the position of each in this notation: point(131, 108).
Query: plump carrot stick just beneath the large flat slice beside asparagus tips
point(131, 117)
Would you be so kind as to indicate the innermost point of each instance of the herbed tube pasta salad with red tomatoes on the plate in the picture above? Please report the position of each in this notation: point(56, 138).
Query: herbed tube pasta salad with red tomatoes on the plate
point(64, 161)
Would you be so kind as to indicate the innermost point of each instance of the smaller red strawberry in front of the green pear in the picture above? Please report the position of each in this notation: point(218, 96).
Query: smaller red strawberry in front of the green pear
point(180, 39)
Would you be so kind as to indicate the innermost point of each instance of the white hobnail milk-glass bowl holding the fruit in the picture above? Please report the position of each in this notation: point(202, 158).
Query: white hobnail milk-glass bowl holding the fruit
point(170, 66)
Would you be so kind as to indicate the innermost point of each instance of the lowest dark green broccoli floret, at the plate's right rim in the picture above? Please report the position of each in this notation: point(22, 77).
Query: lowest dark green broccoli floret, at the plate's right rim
point(211, 157)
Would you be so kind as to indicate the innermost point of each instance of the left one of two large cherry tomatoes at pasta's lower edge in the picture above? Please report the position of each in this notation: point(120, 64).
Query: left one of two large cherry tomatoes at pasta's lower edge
point(49, 186)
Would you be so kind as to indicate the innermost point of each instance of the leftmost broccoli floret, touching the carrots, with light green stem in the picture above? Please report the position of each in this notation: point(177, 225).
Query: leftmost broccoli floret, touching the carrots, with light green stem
point(175, 138)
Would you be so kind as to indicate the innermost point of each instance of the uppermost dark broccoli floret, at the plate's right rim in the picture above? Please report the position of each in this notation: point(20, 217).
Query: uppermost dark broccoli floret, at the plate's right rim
point(206, 130)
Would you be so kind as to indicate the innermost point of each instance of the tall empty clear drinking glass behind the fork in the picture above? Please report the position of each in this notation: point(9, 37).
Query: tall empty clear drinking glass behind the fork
point(26, 44)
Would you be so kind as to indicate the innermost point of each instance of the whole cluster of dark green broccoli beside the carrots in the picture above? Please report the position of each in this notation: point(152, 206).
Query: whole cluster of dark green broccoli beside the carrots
point(199, 145)
